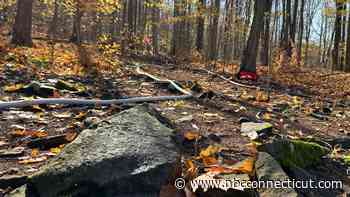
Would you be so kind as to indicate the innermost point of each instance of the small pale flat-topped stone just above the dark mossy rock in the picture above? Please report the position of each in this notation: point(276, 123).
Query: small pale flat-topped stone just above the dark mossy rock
point(253, 130)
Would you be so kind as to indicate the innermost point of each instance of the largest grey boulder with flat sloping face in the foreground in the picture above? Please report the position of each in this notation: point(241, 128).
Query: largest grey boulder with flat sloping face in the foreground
point(127, 154)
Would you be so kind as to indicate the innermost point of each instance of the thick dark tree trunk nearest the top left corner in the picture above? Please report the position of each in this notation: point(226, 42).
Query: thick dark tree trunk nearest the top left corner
point(22, 29)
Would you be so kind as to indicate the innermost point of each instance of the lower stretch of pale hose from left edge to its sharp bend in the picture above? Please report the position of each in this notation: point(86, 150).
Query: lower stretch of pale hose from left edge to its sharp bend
point(87, 102)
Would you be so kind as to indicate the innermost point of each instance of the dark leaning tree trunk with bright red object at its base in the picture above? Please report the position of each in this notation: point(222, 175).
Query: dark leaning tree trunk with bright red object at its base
point(248, 62)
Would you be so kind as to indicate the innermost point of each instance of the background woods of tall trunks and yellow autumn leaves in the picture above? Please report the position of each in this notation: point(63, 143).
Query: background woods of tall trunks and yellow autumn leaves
point(313, 33)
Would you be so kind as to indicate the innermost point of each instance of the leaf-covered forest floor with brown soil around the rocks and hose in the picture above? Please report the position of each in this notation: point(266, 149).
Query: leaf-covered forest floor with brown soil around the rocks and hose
point(315, 105)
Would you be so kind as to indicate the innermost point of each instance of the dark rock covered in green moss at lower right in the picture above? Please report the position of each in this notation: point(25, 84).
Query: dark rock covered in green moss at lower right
point(295, 152)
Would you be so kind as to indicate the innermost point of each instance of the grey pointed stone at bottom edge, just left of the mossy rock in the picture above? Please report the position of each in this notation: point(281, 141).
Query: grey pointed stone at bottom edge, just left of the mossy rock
point(268, 169)
